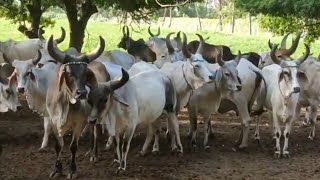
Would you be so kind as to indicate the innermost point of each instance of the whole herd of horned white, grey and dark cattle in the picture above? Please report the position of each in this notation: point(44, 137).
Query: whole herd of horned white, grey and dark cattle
point(151, 83)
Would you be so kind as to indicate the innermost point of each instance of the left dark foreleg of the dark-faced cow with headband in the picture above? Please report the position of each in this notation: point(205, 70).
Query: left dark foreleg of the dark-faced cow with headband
point(58, 147)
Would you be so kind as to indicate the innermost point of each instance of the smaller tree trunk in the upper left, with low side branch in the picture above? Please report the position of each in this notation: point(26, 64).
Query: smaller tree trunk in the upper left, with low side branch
point(35, 11)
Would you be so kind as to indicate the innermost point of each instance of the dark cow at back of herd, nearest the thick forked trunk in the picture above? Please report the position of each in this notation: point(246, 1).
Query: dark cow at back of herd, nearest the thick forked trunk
point(138, 48)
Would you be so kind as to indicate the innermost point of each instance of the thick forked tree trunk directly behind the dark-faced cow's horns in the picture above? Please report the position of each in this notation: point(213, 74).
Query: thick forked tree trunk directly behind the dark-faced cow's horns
point(78, 24)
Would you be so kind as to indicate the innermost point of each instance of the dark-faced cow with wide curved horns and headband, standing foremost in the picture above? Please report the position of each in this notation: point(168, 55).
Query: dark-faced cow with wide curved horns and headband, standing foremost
point(66, 98)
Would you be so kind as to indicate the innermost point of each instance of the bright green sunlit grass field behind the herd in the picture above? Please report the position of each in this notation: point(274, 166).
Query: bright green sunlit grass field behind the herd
point(112, 33)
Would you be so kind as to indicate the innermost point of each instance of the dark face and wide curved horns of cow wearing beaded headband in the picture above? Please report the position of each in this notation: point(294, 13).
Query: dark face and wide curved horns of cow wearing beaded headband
point(74, 73)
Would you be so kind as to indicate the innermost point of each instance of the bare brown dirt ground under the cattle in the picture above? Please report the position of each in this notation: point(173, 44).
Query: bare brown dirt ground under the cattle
point(21, 135)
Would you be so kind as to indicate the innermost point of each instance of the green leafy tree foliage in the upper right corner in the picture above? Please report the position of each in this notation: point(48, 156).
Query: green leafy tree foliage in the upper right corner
point(283, 16)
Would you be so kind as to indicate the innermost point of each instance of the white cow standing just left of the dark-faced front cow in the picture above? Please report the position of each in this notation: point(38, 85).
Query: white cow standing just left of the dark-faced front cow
point(33, 82)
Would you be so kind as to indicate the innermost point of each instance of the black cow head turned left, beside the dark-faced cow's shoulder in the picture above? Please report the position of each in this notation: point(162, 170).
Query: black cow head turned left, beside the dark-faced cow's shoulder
point(100, 97)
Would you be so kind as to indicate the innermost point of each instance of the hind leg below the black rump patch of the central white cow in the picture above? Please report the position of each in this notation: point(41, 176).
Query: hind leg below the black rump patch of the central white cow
point(175, 129)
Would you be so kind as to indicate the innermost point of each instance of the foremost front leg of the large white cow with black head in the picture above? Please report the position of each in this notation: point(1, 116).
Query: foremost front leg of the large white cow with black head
point(125, 146)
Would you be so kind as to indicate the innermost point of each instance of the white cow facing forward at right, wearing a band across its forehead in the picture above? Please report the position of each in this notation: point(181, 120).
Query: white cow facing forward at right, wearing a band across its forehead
point(283, 79)
